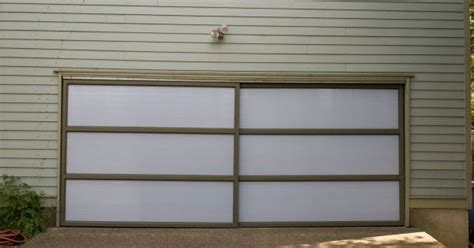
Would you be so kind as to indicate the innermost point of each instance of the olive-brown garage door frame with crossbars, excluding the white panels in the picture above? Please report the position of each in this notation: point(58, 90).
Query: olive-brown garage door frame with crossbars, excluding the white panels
point(365, 82)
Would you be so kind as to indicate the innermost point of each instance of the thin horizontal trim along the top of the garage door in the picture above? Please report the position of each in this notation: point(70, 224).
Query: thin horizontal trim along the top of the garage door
point(235, 77)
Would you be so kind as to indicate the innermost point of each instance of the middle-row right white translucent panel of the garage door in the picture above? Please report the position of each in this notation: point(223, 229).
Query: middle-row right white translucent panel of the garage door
point(318, 155)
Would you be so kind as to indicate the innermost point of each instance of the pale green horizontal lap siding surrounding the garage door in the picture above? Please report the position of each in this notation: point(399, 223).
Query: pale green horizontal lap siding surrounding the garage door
point(424, 37)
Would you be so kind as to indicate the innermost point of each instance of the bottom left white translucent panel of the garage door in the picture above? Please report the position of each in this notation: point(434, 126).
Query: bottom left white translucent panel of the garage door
point(148, 201)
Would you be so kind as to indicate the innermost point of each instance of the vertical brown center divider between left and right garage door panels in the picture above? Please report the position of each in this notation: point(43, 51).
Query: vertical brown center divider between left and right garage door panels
point(236, 155)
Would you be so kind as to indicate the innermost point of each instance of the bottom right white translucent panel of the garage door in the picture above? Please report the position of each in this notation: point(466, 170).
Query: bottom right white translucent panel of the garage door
point(318, 201)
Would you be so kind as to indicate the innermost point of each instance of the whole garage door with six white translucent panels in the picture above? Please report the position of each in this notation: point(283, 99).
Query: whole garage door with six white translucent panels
point(143, 153)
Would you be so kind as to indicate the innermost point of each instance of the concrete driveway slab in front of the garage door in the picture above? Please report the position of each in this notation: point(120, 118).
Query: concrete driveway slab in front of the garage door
point(233, 237)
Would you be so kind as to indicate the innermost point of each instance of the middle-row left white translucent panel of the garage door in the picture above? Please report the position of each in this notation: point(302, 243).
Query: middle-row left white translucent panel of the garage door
point(132, 153)
